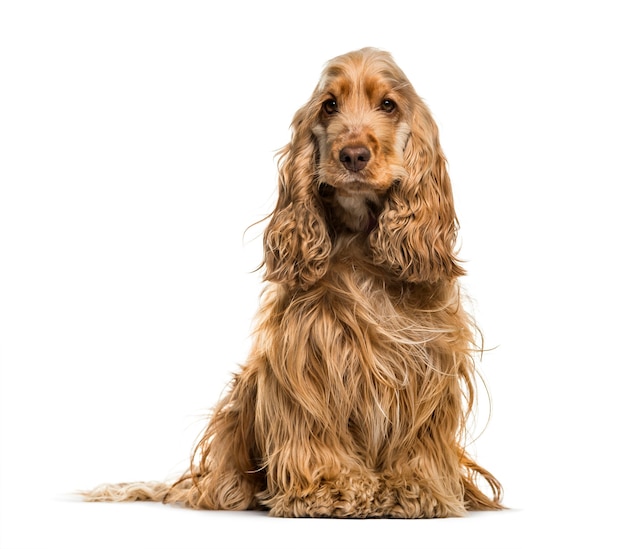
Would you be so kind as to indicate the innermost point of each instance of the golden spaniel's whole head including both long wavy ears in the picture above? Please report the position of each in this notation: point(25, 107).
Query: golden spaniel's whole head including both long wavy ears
point(364, 161)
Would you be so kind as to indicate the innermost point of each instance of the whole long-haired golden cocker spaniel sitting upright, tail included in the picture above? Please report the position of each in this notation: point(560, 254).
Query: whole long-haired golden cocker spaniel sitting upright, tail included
point(356, 394)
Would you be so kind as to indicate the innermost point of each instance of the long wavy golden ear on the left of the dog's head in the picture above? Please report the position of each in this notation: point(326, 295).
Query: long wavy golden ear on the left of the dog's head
point(296, 242)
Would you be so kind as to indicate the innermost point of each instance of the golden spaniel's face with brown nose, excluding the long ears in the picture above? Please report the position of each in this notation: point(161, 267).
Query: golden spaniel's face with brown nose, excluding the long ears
point(362, 128)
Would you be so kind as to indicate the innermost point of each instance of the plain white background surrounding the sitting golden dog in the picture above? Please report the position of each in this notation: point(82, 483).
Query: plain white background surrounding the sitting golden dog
point(136, 146)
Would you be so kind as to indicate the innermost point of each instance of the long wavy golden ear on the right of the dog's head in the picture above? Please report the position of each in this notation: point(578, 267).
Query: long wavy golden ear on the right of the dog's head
point(416, 232)
